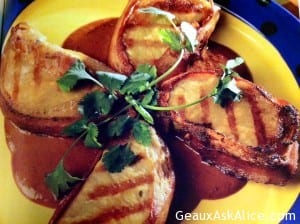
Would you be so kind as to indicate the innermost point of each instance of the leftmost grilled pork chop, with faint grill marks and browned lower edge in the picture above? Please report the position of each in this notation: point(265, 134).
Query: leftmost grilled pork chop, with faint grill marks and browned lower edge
point(29, 94)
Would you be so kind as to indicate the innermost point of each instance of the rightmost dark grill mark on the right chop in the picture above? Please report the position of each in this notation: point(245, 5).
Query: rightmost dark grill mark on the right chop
point(260, 130)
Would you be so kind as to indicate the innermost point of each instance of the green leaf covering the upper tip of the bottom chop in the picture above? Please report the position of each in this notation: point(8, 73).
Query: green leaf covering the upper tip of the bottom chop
point(141, 133)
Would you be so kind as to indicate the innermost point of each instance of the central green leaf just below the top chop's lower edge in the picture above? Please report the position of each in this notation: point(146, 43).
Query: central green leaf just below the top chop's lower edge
point(136, 83)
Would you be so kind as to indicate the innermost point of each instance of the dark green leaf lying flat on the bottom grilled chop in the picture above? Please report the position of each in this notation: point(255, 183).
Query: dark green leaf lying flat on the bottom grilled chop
point(117, 158)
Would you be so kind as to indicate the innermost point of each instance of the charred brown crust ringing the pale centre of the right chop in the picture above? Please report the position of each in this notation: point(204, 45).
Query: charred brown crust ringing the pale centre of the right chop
point(275, 161)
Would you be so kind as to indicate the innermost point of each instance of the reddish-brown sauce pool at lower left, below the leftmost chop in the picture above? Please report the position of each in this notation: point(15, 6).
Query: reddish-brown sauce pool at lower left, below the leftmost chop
point(34, 156)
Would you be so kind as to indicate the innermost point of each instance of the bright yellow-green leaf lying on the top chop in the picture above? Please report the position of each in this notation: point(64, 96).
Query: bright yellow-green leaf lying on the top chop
point(171, 38)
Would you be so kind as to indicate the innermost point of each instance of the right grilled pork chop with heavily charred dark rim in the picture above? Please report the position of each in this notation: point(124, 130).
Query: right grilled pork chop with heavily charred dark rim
point(255, 138)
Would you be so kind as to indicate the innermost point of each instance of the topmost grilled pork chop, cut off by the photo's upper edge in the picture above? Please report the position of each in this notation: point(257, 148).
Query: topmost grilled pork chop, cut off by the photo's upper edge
point(136, 38)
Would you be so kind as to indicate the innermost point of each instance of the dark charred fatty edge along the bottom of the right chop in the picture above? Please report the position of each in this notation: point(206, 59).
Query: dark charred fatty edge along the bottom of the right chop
point(263, 167)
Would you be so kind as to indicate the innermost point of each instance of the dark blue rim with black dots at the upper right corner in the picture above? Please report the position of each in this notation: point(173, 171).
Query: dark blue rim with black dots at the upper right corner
point(287, 37)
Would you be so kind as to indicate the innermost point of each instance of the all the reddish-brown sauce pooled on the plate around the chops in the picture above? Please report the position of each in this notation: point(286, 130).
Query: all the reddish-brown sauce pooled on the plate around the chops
point(33, 156)
